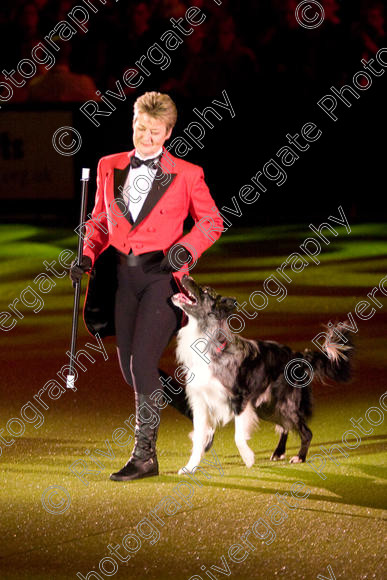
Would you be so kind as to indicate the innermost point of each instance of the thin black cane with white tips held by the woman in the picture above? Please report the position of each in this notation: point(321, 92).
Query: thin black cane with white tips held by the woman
point(85, 184)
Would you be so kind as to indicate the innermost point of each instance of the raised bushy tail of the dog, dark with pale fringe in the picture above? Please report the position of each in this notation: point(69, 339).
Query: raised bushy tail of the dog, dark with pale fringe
point(334, 359)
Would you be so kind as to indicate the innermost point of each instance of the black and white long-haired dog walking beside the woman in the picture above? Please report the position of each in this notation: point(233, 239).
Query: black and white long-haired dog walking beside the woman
point(247, 380)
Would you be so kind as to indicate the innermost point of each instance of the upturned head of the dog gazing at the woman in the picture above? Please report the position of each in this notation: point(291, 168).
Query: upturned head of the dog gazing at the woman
point(203, 301)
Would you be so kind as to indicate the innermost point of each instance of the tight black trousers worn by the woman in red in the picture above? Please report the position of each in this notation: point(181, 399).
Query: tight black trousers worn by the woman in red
point(145, 320)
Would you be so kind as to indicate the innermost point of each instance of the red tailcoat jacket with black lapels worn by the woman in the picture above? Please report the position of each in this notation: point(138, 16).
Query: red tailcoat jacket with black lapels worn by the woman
point(178, 190)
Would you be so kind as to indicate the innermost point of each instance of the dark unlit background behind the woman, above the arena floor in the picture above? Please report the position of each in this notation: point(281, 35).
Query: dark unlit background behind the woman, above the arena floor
point(273, 70)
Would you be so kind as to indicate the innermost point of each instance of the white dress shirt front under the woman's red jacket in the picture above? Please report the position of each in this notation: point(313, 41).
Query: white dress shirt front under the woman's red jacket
point(138, 184)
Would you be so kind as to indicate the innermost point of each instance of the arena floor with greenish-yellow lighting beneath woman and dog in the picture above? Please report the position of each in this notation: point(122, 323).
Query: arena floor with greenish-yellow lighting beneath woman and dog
point(337, 531)
